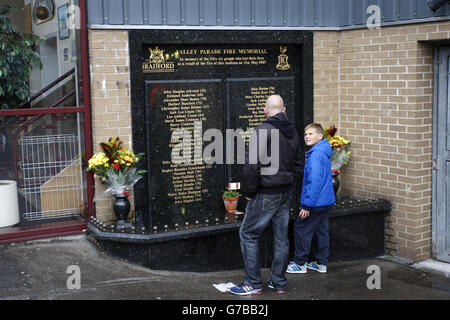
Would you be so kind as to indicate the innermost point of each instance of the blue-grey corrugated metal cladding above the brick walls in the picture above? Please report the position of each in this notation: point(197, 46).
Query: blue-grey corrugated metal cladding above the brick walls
point(257, 13)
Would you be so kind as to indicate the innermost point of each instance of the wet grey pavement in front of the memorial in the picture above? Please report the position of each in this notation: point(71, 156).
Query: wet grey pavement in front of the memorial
point(49, 270)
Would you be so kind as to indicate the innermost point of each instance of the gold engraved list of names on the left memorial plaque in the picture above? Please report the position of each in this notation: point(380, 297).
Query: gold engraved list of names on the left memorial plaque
point(190, 111)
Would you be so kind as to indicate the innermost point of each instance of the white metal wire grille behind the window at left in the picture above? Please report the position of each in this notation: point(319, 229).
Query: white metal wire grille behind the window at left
point(52, 180)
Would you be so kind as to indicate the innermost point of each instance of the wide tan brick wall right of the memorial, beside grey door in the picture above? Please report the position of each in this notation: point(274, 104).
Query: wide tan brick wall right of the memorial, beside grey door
point(384, 105)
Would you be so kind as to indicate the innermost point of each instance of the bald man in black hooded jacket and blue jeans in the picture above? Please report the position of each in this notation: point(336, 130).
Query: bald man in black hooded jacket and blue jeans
point(267, 187)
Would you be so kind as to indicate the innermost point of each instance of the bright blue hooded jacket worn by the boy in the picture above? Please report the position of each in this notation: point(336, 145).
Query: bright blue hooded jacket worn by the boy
point(317, 189)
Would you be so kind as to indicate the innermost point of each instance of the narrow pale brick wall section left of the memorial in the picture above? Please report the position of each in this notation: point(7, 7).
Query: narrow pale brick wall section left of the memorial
point(110, 98)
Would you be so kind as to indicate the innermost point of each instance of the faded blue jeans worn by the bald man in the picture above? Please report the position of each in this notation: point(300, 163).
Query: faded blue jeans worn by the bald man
point(260, 211)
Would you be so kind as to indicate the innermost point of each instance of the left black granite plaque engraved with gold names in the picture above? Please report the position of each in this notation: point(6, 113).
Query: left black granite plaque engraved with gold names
point(183, 187)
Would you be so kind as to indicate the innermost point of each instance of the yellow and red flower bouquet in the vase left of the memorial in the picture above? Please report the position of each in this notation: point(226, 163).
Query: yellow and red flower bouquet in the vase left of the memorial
point(115, 167)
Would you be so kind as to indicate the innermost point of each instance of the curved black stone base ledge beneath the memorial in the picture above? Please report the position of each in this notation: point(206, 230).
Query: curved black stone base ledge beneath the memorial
point(356, 232)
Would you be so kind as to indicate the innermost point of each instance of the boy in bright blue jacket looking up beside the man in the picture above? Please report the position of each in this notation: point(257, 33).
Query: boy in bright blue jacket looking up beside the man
point(316, 201)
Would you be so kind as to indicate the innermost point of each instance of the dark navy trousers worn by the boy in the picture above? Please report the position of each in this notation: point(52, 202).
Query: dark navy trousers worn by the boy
point(317, 223)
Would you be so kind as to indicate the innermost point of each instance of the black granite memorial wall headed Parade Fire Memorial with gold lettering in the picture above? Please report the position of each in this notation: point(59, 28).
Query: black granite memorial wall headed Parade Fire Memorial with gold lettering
point(194, 105)
